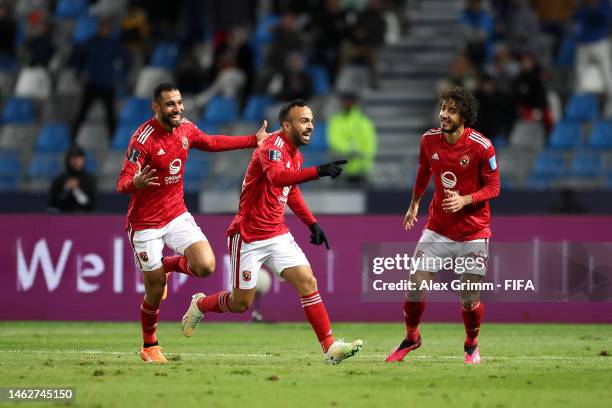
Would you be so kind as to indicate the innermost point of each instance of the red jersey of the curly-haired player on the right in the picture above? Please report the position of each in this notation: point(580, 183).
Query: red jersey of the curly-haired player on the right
point(467, 167)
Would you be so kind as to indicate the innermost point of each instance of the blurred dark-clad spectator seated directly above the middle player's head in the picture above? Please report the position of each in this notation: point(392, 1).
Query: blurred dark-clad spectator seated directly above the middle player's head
point(295, 82)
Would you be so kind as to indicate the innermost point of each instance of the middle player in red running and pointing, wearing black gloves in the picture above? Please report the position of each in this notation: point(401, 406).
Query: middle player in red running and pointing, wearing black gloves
point(258, 234)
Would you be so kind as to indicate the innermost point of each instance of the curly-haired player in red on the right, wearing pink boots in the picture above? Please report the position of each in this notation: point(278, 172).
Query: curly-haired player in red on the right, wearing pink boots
point(462, 162)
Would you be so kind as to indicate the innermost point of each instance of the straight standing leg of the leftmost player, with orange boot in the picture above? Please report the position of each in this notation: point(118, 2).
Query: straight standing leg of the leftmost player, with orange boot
point(148, 246)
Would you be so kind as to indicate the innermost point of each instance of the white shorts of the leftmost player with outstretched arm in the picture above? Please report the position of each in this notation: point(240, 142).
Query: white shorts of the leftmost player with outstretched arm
point(178, 234)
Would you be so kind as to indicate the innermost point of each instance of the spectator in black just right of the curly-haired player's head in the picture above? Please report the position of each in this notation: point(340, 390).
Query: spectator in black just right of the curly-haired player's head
point(495, 110)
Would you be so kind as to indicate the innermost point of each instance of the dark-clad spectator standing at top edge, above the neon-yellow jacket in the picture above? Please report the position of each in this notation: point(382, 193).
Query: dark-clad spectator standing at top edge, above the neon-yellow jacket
point(366, 37)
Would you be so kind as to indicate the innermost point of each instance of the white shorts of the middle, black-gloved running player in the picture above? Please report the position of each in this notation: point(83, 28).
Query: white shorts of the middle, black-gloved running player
point(278, 254)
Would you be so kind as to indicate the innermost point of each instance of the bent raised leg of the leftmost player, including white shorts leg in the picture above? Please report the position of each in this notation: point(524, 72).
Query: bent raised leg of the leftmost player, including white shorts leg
point(196, 257)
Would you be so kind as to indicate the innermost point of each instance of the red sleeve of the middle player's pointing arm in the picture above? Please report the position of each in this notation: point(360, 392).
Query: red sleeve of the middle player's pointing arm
point(272, 165)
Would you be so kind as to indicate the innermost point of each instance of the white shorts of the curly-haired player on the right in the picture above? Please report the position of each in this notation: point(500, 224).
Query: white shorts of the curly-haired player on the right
point(435, 252)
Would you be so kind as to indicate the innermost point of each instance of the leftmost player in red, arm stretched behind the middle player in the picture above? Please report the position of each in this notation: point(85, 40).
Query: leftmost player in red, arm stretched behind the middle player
point(152, 174)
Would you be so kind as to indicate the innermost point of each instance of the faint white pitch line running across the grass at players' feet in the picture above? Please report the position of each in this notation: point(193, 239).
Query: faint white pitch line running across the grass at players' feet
point(376, 356)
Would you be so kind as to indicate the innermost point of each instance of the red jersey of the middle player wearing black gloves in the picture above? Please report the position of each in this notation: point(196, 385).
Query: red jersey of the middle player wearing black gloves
point(269, 184)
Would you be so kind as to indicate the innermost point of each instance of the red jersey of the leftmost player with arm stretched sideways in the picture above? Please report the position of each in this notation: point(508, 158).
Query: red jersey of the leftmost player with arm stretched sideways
point(151, 144)
